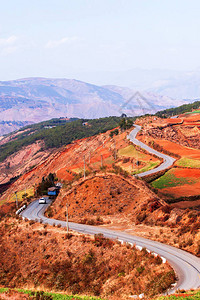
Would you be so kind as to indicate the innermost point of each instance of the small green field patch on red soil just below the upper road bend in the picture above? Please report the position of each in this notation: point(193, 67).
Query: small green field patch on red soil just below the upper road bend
point(170, 180)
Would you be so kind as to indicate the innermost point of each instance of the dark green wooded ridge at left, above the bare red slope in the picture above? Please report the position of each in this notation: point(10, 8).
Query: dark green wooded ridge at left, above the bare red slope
point(55, 133)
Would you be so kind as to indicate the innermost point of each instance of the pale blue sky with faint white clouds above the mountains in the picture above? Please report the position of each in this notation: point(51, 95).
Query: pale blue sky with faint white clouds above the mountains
point(61, 38)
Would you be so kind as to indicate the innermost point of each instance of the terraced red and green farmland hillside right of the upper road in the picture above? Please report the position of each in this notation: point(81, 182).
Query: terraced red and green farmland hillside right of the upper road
point(179, 137)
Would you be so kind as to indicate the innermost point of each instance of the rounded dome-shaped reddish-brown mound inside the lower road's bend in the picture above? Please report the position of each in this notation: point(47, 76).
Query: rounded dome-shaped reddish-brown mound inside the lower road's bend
point(103, 196)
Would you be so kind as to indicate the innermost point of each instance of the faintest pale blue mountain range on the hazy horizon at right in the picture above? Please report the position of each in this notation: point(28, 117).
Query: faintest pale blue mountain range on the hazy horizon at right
point(171, 83)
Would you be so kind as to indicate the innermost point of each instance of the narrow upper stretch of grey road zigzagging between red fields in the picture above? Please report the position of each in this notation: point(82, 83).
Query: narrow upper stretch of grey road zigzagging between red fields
point(168, 161)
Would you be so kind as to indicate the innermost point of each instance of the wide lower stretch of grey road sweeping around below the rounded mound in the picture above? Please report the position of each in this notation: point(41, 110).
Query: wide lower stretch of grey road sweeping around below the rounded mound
point(186, 265)
